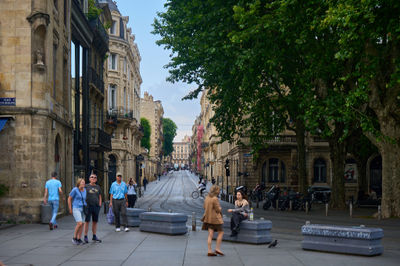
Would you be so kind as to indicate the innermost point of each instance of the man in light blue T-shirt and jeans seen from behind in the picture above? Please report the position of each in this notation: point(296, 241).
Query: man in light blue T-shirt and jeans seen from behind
point(53, 191)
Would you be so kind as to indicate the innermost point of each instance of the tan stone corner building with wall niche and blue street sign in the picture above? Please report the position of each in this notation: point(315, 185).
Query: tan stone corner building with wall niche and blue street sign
point(47, 121)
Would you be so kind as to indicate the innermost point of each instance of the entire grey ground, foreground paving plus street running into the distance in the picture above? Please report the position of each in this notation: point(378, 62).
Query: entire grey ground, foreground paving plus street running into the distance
point(34, 244)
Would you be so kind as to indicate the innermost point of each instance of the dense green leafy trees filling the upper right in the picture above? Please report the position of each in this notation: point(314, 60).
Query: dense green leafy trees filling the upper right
point(328, 67)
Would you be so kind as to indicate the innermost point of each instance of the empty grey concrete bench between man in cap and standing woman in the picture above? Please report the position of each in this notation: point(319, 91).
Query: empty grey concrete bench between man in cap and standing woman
point(163, 222)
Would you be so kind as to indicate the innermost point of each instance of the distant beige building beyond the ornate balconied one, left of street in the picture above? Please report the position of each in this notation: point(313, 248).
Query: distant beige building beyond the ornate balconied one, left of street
point(153, 111)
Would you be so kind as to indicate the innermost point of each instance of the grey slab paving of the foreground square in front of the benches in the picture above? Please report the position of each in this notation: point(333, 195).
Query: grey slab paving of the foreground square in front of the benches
point(35, 244)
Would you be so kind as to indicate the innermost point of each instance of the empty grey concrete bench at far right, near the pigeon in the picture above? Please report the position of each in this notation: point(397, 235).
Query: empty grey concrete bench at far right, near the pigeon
point(342, 239)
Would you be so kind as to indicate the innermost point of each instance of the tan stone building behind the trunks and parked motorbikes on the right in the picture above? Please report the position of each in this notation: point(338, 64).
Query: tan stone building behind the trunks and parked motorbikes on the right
point(277, 163)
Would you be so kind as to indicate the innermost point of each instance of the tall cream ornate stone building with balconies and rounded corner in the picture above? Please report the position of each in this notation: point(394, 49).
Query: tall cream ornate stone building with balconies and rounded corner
point(123, 99)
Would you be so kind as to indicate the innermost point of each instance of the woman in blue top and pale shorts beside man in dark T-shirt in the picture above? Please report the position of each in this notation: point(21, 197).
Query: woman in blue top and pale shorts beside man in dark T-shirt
point(76, 203)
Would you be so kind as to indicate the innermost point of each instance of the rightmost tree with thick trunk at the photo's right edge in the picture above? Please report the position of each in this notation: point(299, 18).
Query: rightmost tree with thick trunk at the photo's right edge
point(369, 37)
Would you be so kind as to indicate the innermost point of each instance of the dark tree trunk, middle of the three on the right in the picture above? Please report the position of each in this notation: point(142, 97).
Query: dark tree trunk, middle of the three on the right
point(337, 154)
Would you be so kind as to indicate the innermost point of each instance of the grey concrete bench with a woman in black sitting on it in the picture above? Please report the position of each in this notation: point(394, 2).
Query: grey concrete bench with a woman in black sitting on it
point(252, 232)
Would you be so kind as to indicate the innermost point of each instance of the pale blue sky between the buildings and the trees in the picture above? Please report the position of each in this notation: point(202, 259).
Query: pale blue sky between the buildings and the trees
point(141, 15)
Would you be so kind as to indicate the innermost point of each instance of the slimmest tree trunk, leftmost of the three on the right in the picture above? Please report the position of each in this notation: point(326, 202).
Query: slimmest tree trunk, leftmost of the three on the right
point(301, 156)
